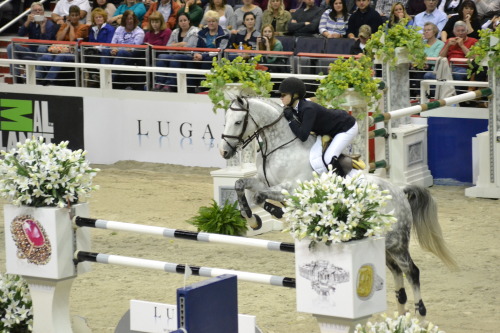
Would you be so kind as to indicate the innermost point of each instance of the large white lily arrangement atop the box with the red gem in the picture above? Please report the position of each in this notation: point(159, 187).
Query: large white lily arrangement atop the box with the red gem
point(39, 174)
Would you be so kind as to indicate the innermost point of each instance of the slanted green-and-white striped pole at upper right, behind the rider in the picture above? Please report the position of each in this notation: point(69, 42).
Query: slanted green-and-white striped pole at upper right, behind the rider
point(431, 105)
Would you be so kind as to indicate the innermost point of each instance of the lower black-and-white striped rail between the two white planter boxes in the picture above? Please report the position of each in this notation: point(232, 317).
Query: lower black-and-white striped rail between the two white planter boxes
point(102, 258)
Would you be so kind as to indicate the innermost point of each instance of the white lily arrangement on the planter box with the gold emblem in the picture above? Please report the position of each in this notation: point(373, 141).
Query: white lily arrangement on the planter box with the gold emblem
point(332, 209)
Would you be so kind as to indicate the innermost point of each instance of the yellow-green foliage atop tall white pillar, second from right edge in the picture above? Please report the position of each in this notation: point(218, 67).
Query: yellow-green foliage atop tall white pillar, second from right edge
point(384, 42)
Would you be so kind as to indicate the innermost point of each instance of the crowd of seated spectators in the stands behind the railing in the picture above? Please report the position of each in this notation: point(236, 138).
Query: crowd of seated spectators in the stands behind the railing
point(449, 27)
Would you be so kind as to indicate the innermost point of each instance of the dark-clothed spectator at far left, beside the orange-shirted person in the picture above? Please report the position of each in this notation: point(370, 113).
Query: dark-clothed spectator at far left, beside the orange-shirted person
point(37, 26)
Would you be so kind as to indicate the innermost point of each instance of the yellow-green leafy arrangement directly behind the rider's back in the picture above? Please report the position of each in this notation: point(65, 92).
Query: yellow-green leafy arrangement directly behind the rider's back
point(349, 73)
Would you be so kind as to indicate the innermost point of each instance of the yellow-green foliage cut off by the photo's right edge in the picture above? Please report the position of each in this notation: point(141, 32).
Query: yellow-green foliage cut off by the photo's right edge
point(479, 52)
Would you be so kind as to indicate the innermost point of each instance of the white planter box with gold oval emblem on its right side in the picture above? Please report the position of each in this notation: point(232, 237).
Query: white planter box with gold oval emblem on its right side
point(345, 280)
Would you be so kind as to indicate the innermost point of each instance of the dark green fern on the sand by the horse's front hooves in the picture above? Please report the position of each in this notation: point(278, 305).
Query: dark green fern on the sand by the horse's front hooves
point(216, 219)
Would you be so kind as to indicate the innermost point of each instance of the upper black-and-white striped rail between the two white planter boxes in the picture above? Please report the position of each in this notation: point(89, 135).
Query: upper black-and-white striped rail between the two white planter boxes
point(183, 234)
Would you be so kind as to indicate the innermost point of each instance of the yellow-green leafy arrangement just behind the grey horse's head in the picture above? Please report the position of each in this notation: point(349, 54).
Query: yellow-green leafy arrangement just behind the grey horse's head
point(236, 71)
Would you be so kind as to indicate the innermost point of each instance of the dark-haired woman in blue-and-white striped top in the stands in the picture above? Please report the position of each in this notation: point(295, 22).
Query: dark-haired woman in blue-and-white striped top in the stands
point(333, 23)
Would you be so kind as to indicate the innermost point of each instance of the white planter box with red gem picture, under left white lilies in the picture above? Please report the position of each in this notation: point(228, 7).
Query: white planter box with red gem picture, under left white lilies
point(40, 242)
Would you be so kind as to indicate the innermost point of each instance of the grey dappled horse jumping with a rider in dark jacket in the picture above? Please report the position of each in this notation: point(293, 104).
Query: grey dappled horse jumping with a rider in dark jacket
point(283, 159)
